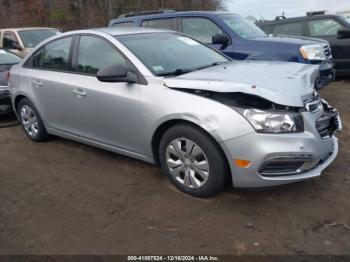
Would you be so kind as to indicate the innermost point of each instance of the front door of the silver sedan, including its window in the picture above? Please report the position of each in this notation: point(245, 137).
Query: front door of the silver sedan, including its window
point(108, 113)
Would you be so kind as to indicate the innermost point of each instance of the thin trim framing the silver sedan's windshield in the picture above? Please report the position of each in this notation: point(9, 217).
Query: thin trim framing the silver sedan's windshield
point(188, 70)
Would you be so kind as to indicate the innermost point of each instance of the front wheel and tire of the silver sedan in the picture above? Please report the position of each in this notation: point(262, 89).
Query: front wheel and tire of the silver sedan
point(188, 171)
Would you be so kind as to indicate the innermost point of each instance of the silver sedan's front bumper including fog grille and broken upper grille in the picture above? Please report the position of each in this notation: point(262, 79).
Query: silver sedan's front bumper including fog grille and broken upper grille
point(278, 159)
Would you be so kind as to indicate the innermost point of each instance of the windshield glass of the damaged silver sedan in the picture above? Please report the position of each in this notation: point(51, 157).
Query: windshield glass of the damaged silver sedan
point(171, 54)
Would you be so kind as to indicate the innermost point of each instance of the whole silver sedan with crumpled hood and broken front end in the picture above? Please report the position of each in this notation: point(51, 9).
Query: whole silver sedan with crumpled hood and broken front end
point(165, 98)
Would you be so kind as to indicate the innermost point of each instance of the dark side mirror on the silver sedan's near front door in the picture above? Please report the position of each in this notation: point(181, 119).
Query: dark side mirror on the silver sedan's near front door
point(116, 74)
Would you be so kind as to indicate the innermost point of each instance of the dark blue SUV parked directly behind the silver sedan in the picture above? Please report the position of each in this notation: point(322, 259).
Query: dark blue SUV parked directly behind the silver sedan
point(237, 37)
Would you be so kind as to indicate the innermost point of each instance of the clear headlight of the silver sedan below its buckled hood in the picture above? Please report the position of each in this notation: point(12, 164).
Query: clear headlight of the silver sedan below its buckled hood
point(274, 122)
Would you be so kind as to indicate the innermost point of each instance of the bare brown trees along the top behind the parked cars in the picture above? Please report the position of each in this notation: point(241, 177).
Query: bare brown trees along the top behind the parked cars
point(74, 14)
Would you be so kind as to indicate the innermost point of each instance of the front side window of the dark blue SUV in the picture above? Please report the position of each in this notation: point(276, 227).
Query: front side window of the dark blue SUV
point(201, 29)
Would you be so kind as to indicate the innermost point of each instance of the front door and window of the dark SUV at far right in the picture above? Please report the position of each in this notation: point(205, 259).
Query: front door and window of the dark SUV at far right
point(327, 29)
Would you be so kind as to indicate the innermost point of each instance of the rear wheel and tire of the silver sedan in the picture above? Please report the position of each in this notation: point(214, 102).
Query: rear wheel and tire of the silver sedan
point(31, 121)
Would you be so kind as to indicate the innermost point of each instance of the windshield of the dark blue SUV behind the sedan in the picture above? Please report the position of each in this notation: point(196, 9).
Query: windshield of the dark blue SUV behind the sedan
point(242, 27)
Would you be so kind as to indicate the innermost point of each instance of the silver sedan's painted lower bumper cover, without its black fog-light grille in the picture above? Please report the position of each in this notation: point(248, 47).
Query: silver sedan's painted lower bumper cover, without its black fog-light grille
point(255, 147)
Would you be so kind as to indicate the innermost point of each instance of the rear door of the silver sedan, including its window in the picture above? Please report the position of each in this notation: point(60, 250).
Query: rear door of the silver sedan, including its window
point(50, 79)
